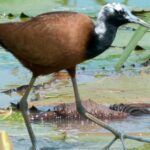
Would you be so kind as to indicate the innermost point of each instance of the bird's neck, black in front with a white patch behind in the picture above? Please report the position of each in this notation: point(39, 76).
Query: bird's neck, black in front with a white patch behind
point(103, 36)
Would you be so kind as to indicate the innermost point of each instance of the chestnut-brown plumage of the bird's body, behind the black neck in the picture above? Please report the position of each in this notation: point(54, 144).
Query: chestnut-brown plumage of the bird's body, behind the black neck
point(49, 42)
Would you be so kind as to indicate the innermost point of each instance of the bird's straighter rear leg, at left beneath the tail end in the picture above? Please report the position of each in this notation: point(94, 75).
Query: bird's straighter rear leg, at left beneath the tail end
point(24, 111)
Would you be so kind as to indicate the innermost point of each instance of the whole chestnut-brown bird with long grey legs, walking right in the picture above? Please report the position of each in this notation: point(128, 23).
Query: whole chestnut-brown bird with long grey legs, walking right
point(59, 40)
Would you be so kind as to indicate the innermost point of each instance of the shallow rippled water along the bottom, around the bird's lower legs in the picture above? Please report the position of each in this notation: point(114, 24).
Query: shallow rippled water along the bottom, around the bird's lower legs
point(78, 134)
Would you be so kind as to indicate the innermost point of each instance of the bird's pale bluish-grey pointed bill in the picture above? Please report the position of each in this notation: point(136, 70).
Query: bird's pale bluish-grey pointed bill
point(137, 20)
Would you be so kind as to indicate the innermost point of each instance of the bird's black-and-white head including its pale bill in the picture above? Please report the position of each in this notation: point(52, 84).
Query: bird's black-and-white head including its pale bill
point(118, 15)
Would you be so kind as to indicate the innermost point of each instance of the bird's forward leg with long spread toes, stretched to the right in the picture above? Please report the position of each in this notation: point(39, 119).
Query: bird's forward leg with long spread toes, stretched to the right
point(84, 113)
